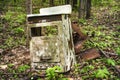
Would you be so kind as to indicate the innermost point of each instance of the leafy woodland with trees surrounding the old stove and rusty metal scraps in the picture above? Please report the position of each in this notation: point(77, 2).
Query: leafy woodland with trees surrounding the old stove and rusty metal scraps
point(102, 25)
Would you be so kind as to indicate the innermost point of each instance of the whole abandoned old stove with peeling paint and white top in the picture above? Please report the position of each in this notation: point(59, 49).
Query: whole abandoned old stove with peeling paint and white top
point(51, 40)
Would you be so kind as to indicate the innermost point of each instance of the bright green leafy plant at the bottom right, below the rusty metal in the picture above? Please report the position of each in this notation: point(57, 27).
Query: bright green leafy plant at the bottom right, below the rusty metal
point(101, 73)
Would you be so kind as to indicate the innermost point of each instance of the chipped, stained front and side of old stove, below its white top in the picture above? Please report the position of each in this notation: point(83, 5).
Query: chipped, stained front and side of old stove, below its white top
point(56, 50)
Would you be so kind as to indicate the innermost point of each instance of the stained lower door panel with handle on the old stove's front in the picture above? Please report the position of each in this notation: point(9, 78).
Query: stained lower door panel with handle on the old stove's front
point(45, 49)
